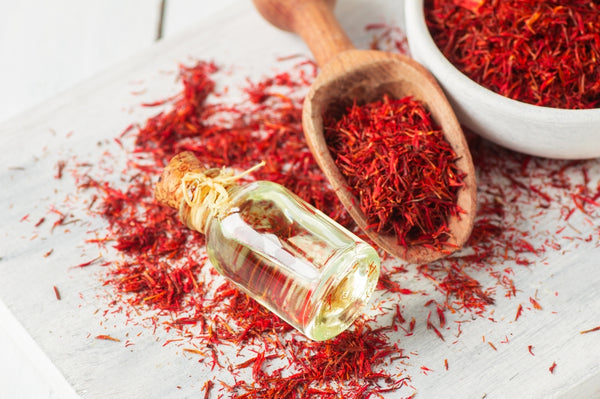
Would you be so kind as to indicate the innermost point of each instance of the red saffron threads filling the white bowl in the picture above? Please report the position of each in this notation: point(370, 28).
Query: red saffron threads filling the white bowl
point(545, 53)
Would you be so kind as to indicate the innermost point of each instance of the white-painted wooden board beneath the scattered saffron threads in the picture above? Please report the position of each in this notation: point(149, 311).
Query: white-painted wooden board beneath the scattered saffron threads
point(62, 331)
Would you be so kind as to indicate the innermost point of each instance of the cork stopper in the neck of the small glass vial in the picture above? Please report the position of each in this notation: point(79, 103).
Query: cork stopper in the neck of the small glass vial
point(168, 188)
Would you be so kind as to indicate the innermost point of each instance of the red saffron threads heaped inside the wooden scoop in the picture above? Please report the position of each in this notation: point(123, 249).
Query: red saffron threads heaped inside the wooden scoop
point(400, 168)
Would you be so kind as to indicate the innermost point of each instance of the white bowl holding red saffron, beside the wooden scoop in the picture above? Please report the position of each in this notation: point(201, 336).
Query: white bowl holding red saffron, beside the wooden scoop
point(531, 129)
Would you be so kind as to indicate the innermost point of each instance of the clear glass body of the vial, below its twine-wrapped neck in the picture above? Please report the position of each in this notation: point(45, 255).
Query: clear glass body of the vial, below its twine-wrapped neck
point(293, 259)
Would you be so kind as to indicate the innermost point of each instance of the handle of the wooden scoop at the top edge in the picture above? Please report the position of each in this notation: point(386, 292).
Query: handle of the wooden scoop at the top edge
point(313, 20)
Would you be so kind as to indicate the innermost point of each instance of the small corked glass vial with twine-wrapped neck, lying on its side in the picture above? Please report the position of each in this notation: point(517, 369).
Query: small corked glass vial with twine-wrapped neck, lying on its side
point(284, 253)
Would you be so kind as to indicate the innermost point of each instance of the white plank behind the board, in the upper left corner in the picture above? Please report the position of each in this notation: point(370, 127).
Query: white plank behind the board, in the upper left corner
point(48, 46)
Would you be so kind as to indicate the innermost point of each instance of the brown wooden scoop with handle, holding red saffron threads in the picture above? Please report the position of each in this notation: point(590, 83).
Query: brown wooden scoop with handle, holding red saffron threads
point(348, 74)
